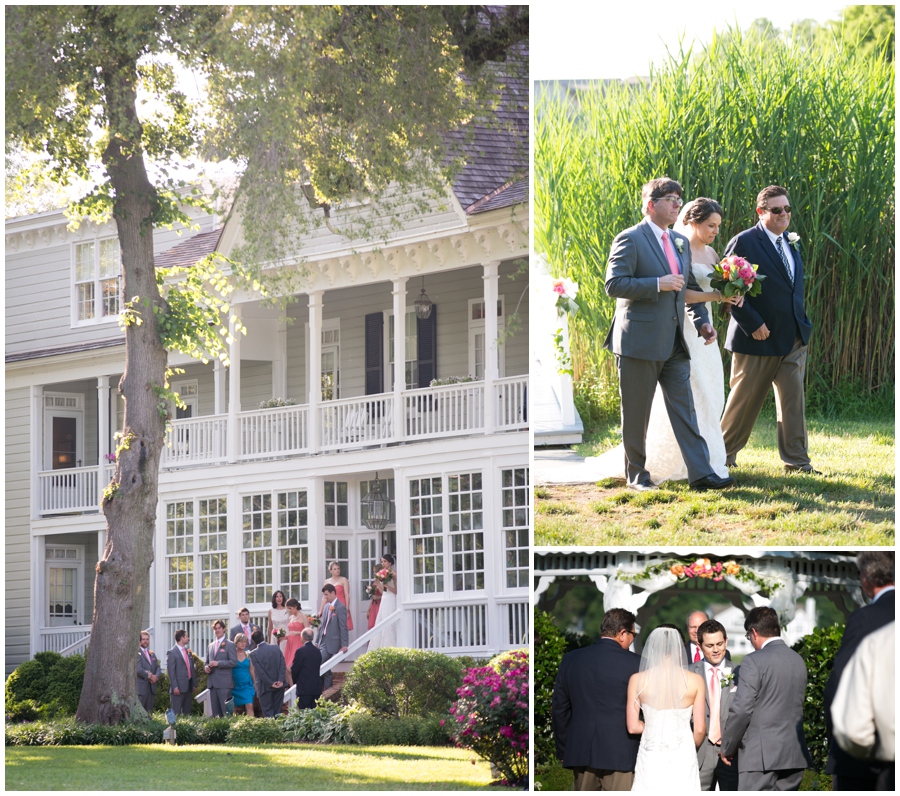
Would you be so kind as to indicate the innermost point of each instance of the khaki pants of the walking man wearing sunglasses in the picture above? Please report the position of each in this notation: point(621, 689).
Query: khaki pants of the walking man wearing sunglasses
point(750, 380)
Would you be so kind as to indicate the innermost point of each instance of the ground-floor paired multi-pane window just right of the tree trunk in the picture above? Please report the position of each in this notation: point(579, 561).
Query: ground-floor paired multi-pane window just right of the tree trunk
point(197, 544)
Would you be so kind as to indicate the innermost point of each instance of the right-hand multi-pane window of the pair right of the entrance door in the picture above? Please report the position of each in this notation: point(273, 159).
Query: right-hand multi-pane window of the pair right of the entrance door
point(466, 518)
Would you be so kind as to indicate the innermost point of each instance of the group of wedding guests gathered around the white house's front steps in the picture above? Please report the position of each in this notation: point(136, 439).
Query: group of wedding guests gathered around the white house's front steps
point(254, 668)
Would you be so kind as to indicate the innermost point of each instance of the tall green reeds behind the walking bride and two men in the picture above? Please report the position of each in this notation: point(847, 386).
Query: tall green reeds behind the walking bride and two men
point(725, 122)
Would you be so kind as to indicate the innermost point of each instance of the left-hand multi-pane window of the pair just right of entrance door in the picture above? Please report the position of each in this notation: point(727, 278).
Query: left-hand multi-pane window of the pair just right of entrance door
point(427, 528)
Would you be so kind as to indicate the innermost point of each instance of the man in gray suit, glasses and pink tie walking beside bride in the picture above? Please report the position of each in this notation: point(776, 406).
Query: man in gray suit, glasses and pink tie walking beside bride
point(648, 270)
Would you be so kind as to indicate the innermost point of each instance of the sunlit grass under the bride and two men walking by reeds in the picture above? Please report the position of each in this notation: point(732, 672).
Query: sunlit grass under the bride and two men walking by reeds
point(852, 503)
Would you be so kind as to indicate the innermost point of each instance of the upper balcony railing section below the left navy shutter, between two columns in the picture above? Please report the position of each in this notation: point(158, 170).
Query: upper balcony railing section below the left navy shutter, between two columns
point(356, 422)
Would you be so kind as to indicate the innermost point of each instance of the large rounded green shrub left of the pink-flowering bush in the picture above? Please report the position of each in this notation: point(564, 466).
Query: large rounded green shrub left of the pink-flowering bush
point(403, 682)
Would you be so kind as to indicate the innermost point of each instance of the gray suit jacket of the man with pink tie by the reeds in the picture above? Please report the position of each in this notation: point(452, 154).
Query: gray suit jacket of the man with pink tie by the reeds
point(647, 320)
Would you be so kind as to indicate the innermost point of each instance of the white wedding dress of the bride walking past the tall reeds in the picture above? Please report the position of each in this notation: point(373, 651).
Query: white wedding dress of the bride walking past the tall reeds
point(664, 461)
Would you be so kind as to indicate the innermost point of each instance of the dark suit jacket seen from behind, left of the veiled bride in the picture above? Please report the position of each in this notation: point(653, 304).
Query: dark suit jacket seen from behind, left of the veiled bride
point(589, 701)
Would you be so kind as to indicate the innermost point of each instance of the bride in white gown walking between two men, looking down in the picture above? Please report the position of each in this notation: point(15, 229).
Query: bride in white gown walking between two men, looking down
point(699, 221)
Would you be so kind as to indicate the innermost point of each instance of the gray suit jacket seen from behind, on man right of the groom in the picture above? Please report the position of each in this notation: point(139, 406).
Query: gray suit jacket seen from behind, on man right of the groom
point(765, 721)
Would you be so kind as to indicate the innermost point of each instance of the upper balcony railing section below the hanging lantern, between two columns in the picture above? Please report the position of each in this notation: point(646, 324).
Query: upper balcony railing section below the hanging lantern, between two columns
point(444, 411)
